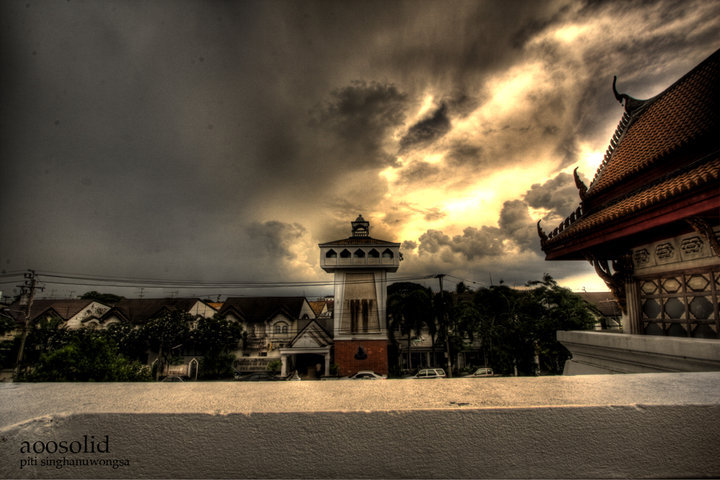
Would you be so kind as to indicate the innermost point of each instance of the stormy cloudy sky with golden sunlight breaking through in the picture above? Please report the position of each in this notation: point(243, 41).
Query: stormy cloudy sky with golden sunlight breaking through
point(197, 141)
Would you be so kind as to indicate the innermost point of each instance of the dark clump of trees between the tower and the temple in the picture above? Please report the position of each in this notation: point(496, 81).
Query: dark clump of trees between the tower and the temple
point(515, 328)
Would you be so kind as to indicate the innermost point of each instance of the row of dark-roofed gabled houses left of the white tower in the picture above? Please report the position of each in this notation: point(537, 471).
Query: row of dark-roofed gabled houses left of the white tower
point(270, 323)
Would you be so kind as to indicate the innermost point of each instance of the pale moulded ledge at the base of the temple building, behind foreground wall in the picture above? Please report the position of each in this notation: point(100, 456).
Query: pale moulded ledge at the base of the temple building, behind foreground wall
point(602, 352)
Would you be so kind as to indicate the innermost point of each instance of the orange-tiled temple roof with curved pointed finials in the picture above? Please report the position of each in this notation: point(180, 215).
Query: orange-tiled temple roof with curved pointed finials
point(665, 150)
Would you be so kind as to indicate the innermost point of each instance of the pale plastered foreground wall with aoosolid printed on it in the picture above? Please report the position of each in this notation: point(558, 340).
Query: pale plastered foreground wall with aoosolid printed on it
point(593, 426)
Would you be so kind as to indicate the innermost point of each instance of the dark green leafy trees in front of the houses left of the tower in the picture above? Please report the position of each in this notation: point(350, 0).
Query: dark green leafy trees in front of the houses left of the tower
point(120, 352)
